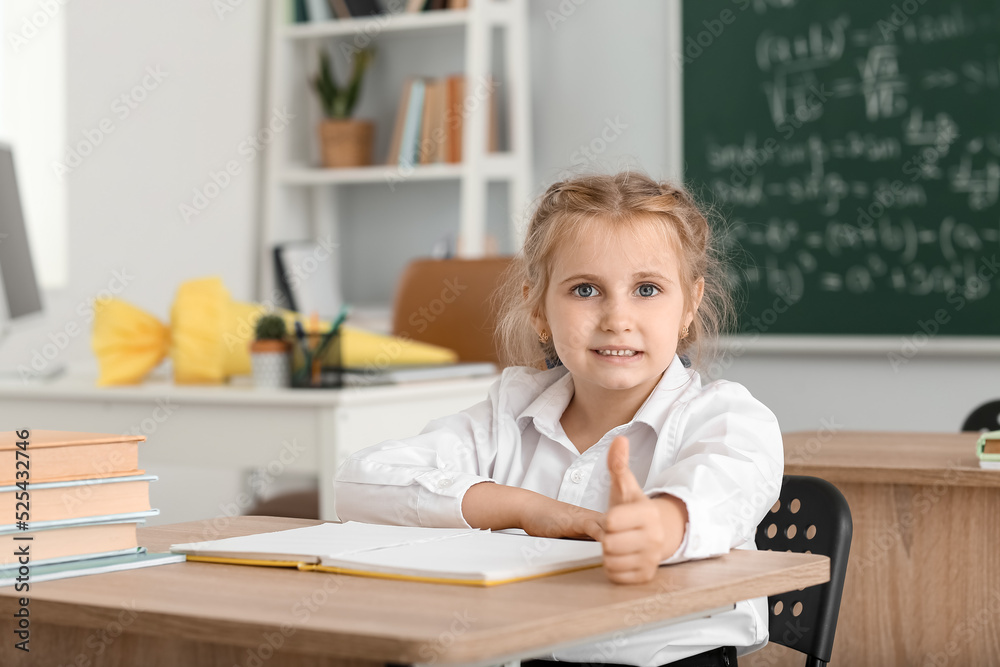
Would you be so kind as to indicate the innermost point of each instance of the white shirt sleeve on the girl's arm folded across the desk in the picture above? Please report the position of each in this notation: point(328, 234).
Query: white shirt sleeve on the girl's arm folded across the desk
point(420, 481)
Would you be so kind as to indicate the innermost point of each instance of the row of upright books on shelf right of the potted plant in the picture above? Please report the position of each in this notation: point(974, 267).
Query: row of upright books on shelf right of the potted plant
point(430, 118)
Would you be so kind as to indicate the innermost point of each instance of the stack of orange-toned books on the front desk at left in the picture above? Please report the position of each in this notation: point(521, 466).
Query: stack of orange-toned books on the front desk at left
point(70, 503)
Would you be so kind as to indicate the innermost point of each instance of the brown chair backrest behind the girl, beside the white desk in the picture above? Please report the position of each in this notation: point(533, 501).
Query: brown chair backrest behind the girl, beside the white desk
point(448, 302)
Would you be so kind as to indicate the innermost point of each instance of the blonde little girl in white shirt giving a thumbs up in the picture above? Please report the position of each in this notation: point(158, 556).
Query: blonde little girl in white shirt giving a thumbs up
point(616, 440)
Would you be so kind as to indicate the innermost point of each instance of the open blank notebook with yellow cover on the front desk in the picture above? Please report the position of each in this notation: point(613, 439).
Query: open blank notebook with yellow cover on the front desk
point(441, 555)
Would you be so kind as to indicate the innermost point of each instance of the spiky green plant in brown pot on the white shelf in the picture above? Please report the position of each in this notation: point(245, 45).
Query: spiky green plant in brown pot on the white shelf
point(344, 141)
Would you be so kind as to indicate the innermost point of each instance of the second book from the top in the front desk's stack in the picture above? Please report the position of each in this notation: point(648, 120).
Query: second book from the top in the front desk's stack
point(81, 497)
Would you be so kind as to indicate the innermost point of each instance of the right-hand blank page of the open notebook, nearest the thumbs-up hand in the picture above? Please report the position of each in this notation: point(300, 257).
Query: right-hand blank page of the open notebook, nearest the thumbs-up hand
point(481, 555)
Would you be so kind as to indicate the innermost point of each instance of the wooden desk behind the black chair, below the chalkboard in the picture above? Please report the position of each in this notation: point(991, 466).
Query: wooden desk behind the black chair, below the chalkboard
point(923, 579)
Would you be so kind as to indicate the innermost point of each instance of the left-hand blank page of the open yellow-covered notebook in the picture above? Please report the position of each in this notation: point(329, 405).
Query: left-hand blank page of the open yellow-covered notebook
point(310, 543)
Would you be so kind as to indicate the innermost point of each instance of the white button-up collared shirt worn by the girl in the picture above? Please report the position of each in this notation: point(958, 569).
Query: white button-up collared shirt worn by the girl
point(715, 447)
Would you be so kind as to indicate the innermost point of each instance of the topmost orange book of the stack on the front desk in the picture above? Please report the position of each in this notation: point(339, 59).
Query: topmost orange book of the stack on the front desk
point(64, 455)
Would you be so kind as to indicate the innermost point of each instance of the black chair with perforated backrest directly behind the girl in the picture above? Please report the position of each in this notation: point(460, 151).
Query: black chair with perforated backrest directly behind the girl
point(812, 516)
